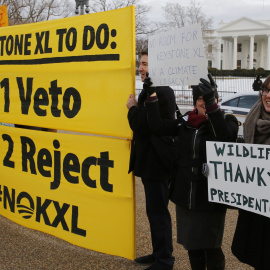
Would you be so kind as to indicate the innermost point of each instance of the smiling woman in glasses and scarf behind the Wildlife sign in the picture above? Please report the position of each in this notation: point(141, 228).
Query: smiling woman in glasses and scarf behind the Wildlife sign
point(251, 243)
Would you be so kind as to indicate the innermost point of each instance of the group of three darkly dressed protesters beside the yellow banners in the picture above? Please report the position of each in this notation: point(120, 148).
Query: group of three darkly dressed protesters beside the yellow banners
point(168, 153)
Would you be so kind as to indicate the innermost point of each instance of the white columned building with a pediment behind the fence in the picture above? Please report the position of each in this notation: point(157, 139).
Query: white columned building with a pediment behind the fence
point(243, 43)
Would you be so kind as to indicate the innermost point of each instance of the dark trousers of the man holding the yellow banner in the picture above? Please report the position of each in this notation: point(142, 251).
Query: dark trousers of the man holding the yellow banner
point(157, 198)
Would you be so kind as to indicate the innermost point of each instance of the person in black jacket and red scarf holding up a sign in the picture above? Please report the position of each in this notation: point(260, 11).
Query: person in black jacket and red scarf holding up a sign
point(200, 223)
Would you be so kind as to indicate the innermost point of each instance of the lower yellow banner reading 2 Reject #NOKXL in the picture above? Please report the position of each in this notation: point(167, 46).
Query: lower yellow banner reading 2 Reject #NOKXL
point(71, 186)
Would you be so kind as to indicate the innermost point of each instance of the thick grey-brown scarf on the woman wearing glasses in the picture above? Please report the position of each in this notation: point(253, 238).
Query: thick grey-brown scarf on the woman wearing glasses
point(257, 125)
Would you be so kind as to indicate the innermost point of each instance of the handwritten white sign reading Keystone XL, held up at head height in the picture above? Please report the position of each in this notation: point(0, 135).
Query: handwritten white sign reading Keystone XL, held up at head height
point(177, 57)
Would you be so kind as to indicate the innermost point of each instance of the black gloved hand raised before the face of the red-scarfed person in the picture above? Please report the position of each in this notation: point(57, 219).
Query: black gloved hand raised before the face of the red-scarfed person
point(208, 90)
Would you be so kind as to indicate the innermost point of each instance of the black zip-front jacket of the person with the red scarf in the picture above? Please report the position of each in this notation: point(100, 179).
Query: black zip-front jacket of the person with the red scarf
point(191, 187)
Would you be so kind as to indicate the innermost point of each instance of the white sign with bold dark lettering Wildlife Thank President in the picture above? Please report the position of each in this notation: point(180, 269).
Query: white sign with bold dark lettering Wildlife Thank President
point(239, 175)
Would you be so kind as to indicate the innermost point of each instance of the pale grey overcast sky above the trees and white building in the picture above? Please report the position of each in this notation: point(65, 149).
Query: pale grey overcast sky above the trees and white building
point(225, 10)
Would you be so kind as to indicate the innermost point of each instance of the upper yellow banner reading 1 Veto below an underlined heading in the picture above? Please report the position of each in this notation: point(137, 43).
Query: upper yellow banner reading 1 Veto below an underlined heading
point(71, 74)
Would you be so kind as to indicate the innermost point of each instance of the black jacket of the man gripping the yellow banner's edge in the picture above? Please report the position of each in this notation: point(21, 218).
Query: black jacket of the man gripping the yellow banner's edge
point(144, 160)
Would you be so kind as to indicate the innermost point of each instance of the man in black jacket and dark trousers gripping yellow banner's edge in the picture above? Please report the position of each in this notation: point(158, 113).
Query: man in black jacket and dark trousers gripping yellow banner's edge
point(145, 163)
